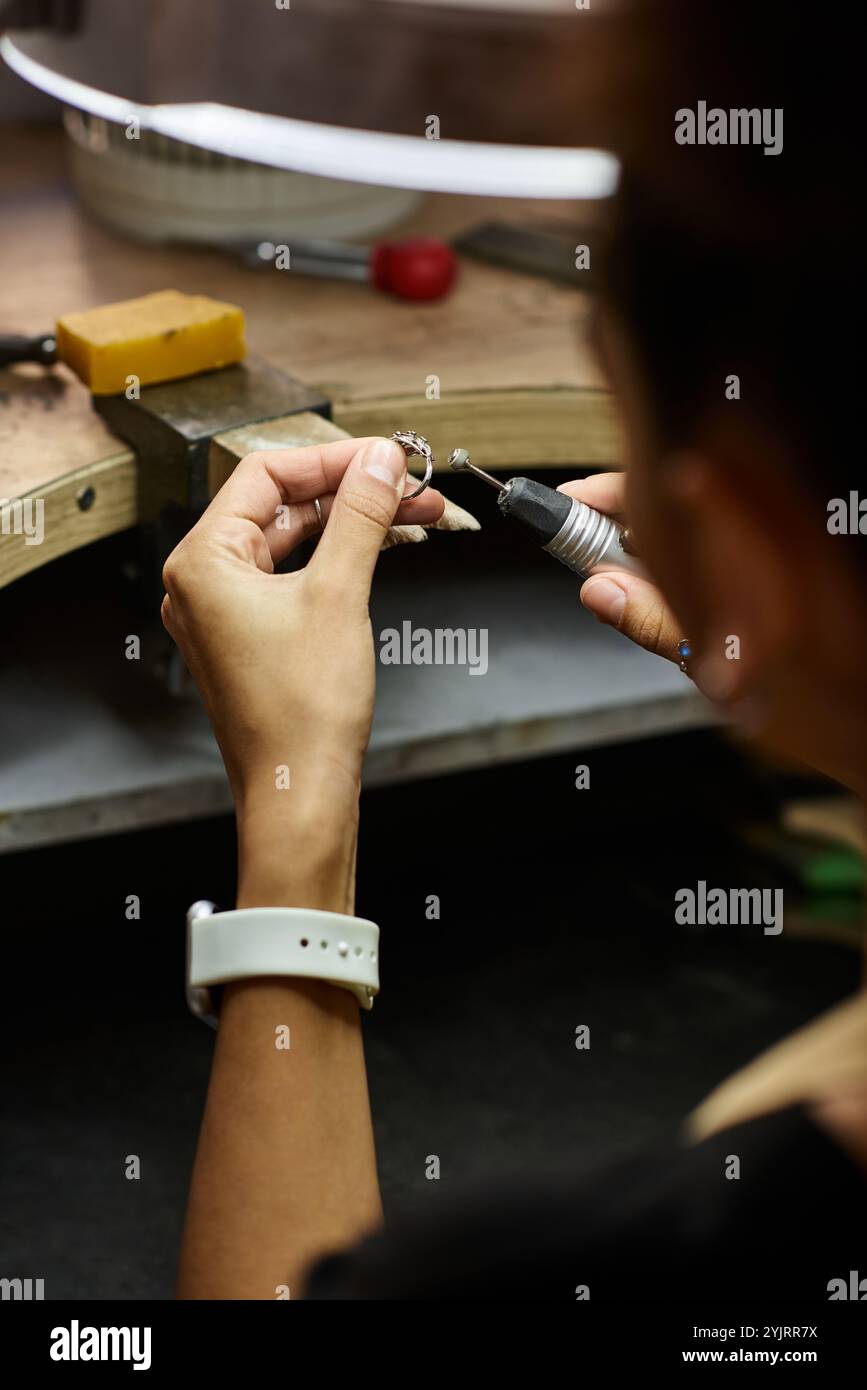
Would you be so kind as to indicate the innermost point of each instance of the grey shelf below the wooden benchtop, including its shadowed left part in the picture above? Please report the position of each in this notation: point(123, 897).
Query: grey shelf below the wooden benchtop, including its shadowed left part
point(92, 743)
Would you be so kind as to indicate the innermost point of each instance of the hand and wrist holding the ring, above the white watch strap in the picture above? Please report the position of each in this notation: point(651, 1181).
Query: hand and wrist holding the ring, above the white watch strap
point(286, 662)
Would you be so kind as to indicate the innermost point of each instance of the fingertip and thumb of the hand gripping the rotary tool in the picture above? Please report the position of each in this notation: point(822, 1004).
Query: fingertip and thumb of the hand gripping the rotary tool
point(625, 601)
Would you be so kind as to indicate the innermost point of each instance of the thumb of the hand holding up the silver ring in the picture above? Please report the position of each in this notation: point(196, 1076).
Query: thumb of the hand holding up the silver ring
point(362, 512)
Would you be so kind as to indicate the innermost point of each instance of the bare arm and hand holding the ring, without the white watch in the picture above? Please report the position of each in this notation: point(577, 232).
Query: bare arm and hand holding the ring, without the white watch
point(287, 667)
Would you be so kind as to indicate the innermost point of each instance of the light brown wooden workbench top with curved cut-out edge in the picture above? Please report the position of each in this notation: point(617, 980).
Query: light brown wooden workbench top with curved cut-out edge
point(518, 382)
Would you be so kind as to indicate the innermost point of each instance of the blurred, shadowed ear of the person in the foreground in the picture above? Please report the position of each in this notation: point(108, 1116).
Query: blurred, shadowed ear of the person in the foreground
point(743, 532)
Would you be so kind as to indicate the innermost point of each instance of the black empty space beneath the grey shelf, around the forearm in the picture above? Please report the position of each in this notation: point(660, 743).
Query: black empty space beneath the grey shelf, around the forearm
point(558, 910)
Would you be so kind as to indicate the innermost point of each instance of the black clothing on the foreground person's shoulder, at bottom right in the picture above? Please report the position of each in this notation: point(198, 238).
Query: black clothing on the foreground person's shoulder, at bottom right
point(668, 1224)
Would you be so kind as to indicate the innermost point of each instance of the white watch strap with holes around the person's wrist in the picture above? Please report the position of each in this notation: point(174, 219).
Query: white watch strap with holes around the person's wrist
point(284, 942)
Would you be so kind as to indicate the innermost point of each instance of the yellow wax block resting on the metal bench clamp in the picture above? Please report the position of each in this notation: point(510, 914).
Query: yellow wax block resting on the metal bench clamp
point(155, 338)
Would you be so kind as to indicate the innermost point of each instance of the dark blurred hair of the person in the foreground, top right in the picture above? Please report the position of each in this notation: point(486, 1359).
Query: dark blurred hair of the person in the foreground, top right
point(725, 259)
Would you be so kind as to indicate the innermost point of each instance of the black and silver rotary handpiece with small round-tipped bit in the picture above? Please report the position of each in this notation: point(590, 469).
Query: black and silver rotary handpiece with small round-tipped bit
point(576, 534)
